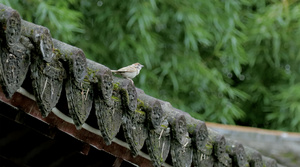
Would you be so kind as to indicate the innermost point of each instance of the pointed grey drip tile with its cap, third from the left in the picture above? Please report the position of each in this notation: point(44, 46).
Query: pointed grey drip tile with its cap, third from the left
point(79, 83)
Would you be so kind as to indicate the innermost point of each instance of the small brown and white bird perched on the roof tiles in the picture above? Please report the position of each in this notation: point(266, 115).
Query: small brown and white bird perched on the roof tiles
point(129, 72)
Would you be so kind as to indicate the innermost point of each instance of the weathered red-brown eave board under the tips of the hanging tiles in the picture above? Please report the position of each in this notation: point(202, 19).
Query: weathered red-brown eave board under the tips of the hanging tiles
point(87, 134)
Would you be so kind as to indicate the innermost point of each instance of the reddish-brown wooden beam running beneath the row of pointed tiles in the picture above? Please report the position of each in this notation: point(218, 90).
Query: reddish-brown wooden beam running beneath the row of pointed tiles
point(30, 107)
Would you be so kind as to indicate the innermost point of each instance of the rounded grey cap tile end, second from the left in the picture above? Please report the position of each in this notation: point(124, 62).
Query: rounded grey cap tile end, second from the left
point(41, 38)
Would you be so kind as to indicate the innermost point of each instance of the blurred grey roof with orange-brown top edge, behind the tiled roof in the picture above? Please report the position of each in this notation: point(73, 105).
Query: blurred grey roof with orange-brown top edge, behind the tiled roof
point(265, 141)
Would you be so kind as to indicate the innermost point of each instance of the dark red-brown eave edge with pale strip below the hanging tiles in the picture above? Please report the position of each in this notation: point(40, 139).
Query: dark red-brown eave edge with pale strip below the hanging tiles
point(22, 99)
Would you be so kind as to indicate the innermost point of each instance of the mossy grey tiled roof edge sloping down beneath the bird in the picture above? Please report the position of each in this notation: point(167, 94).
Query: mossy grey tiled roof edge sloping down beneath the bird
point(57, 69)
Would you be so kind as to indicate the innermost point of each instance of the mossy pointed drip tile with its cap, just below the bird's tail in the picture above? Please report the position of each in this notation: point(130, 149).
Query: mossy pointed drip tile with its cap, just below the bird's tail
point(108, 107)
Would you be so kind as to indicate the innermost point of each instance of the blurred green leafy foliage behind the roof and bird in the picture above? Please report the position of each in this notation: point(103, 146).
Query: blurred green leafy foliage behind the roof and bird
point(226, 61)
